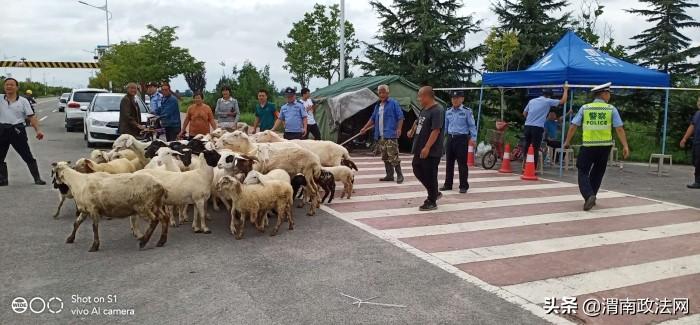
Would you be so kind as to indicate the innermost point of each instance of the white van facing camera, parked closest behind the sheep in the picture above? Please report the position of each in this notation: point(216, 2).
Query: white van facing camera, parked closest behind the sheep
point(102, 118)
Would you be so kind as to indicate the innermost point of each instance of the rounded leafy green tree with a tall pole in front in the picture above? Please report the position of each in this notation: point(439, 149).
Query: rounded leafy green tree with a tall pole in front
point(313, 48)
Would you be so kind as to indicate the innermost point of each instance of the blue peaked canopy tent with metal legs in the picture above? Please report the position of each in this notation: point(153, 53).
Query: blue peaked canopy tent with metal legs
point(573, 61)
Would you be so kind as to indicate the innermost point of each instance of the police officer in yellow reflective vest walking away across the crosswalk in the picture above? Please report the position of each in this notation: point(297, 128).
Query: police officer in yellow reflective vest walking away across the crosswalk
point(597, 120)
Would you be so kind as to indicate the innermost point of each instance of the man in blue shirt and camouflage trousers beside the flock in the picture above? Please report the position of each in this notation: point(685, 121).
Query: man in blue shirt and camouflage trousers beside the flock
point(387, 121)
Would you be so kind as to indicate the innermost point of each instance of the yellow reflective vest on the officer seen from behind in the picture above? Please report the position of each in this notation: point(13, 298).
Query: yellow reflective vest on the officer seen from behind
point(597, 124)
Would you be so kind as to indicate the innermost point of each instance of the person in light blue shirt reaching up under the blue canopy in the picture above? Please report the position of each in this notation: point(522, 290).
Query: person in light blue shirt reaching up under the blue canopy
point(535, 115)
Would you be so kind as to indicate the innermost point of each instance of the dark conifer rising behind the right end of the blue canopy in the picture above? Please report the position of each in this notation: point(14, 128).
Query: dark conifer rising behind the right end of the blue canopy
point(664, 46)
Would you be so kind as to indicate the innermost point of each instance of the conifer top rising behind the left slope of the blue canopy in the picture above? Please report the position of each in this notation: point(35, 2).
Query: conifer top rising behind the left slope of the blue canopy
point(537, 28)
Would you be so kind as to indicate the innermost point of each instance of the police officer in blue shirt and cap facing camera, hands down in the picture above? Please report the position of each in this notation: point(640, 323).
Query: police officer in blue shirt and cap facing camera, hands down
point(459, 128)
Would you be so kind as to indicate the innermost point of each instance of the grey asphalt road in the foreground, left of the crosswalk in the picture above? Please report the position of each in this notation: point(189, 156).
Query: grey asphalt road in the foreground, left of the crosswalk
point(293, 278)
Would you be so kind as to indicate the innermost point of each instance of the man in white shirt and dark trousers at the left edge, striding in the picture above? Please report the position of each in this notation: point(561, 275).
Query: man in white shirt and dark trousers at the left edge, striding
point(14, 109)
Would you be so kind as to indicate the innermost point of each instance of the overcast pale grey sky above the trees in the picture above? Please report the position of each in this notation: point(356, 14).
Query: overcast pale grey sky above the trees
point(231, 31)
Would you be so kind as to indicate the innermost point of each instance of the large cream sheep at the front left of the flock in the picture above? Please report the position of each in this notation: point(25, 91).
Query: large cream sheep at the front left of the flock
point(116, 196)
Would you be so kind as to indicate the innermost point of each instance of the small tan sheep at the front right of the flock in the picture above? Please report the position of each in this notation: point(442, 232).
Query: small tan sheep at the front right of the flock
point(254, 201)
